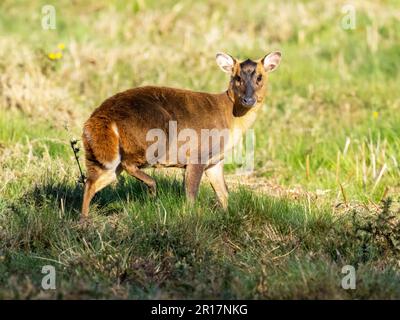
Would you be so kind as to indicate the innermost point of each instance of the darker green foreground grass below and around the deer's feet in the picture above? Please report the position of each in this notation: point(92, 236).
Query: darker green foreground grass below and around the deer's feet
point(138, 248)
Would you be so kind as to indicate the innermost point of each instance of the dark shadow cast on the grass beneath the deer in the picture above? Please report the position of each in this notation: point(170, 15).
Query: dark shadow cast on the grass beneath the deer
point(112, 198)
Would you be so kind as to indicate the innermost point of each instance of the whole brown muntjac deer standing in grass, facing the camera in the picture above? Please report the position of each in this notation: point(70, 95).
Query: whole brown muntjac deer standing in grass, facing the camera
point(116, 136)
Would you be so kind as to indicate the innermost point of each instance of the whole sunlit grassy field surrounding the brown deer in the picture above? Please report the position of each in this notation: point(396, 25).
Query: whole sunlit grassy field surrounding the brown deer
point(327, 152)
